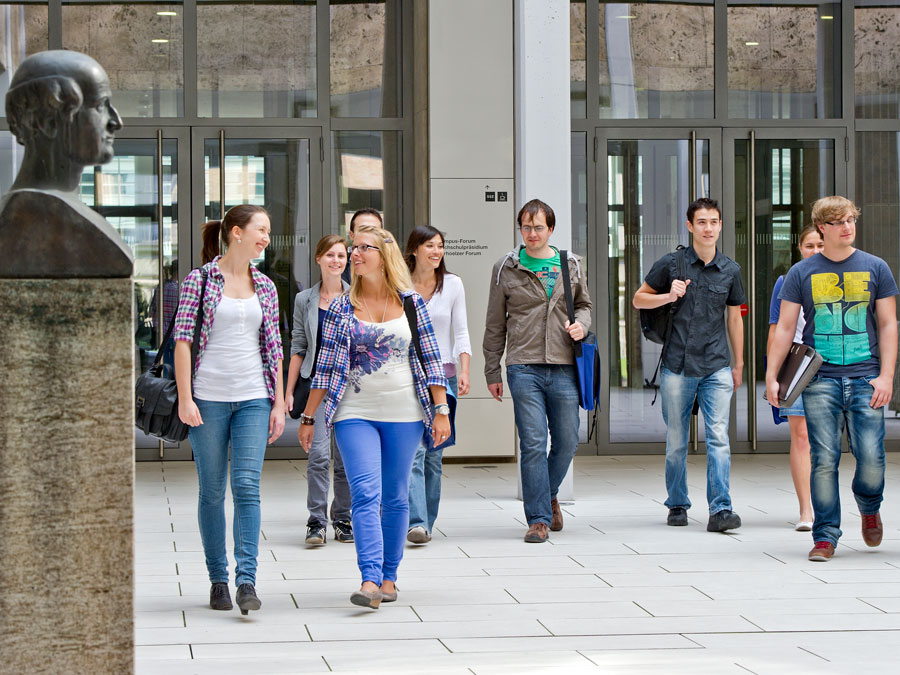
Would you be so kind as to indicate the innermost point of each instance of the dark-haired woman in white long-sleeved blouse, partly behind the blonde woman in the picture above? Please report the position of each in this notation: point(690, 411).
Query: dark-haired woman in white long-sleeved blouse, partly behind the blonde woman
point(445, 299)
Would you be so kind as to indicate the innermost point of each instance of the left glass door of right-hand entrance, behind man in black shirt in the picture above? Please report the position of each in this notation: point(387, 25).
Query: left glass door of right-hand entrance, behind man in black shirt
point(648, 178)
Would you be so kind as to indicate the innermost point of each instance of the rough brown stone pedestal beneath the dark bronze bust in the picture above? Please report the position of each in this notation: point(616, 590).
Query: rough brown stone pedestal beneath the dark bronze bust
point(66, 475)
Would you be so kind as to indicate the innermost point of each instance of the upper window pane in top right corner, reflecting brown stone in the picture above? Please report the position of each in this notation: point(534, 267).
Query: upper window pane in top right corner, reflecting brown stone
point(876, 36)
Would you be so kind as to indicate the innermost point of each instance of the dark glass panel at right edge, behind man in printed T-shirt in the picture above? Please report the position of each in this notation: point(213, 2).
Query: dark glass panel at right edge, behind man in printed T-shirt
point(878, 229)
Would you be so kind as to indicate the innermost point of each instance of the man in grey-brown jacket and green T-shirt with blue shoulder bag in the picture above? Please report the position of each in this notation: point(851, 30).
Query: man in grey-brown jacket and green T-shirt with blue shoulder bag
point(526, 317)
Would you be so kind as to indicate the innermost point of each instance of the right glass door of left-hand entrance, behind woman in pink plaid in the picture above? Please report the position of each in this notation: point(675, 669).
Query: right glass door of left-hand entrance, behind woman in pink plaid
point(279, 172)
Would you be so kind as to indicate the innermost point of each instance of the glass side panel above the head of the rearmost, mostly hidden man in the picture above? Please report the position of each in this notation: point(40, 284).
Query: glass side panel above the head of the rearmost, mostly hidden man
point(367, 174)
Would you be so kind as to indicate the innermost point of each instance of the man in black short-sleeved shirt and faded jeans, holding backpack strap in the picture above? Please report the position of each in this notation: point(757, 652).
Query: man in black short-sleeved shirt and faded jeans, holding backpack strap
point(695, 360)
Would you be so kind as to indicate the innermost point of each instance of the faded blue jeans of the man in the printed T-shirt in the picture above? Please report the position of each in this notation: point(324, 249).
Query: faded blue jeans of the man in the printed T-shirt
point(832, 403)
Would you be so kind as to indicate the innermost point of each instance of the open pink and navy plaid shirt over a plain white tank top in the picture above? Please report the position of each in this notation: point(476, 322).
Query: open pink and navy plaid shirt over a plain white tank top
point(269, 334)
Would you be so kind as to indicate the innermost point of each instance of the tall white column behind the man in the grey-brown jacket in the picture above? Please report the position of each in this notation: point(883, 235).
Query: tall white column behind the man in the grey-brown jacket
point(543, 120)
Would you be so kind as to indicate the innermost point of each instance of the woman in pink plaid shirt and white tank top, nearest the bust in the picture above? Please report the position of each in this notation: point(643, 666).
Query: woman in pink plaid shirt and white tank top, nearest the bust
point(232, 395)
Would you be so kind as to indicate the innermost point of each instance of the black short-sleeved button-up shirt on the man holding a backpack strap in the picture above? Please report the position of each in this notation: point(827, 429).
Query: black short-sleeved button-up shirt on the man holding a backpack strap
point(698, 345)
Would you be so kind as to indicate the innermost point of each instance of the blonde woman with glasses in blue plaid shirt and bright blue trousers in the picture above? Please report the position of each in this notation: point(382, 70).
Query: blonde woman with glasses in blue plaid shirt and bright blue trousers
point(381, 391)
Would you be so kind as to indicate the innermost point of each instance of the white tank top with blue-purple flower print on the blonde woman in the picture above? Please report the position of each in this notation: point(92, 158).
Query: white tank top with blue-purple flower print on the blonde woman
point(380, 383)
